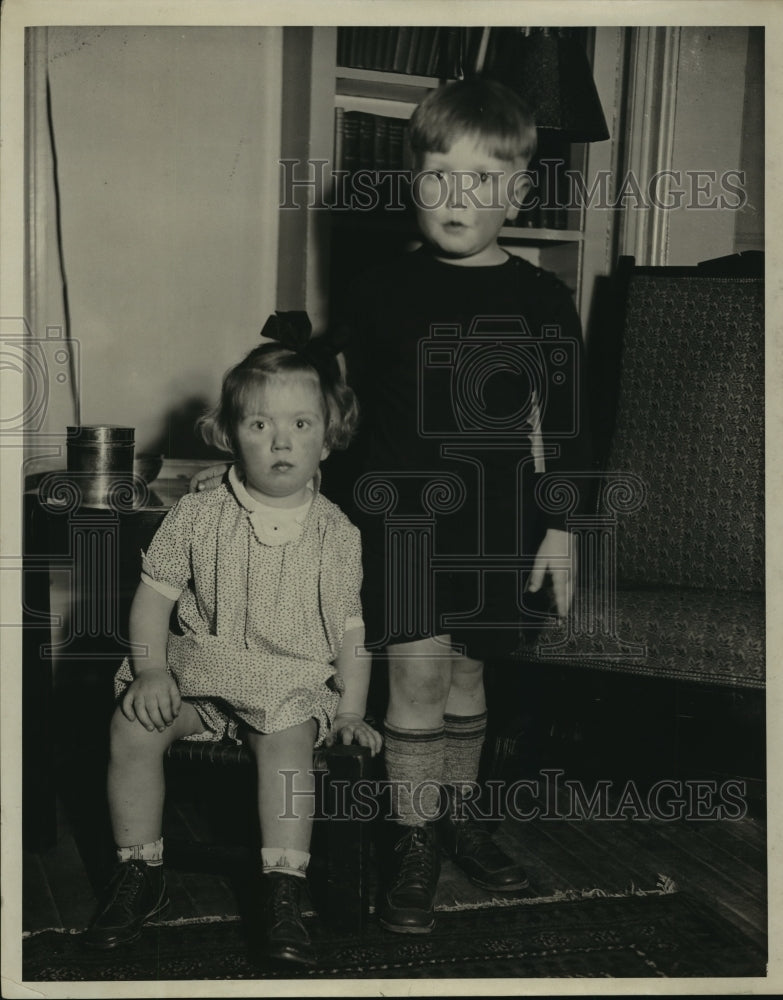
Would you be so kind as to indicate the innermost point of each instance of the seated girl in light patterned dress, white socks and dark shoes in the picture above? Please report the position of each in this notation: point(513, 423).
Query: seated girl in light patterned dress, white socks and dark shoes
point(265, 573)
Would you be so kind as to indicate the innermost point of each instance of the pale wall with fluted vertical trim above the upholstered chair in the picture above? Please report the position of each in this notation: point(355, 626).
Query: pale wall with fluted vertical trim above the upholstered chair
point(693, 120)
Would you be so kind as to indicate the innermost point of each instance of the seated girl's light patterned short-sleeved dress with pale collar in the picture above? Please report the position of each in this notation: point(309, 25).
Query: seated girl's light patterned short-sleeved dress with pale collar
point(264, 600)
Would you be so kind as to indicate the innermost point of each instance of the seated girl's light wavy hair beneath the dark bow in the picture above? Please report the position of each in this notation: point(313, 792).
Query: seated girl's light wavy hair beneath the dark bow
point(341, 411)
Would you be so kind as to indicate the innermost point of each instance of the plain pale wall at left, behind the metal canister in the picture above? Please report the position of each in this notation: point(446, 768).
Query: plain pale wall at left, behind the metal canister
point(165, 143)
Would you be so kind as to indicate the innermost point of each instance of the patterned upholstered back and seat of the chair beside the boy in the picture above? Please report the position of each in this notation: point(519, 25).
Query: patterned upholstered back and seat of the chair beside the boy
point(689, 599)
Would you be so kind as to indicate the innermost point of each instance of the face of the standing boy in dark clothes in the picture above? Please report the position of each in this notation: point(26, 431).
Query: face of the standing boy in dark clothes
point(463, 197)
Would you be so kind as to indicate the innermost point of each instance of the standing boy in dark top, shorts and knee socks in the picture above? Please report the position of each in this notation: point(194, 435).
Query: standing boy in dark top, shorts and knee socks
point(466, 362)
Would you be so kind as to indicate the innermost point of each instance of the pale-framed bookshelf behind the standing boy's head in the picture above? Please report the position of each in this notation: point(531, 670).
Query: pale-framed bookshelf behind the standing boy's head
point(368, 93)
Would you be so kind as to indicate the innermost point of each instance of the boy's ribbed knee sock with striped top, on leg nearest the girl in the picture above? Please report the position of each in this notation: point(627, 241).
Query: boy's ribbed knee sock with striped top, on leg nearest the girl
point(414, 766)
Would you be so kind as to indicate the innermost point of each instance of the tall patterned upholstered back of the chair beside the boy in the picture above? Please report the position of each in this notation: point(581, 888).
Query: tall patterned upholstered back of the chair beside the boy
point(690, 423)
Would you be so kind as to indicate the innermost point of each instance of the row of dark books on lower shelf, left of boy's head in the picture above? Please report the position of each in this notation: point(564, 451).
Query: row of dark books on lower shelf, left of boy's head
point(364, 141)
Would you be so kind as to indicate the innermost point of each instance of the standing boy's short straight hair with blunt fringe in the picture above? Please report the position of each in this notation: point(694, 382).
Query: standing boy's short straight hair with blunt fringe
point(484, 109)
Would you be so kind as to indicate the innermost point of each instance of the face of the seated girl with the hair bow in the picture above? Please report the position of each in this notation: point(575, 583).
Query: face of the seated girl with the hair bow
point(280, 439)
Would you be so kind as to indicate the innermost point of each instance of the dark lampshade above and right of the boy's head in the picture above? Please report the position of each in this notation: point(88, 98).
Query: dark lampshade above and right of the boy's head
point(549, 68)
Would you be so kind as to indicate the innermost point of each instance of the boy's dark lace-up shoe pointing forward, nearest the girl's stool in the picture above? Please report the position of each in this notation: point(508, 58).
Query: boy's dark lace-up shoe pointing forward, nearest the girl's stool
point(407, 905)
